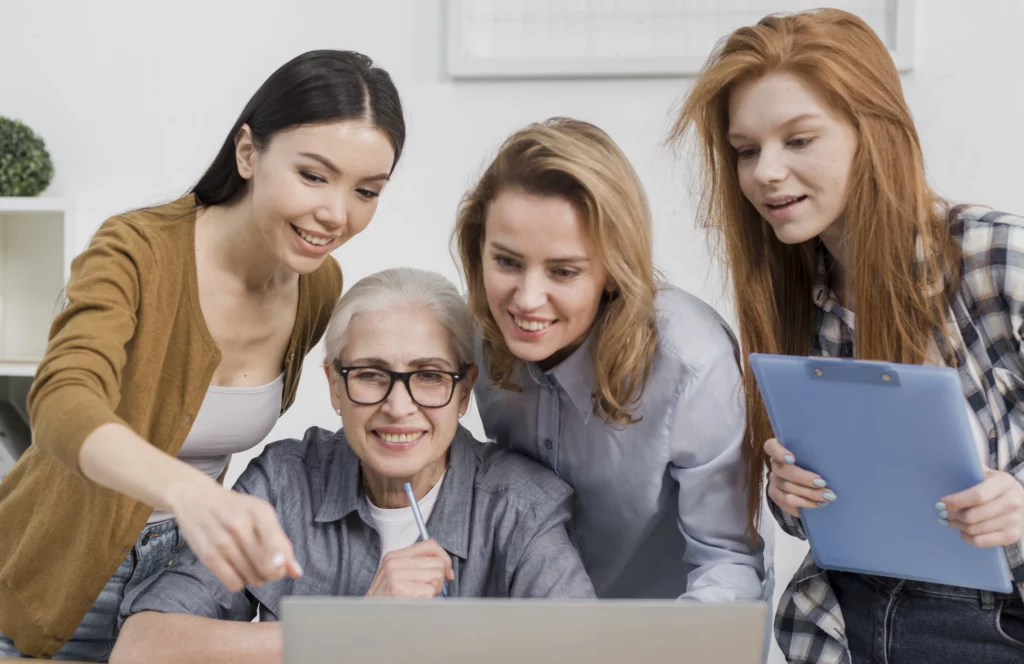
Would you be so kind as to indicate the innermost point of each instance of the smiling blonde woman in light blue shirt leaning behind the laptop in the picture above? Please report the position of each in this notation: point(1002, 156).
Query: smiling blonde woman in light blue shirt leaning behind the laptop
point(628, 389)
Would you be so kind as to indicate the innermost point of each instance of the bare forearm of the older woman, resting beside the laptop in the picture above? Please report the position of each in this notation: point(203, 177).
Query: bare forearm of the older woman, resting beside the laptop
point(166, 639)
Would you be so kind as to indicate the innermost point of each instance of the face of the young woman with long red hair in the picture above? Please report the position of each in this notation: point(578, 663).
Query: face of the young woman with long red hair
point(794, 156)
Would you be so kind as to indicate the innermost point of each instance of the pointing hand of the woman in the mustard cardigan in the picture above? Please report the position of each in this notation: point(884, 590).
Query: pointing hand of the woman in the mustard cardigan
point(236, 536)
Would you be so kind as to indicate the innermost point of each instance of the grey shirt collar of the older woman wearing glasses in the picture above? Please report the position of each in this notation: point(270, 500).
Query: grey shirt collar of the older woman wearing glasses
point(450, 522)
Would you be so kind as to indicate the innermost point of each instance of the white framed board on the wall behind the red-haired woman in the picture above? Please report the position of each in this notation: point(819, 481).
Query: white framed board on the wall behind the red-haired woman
point(622, 38)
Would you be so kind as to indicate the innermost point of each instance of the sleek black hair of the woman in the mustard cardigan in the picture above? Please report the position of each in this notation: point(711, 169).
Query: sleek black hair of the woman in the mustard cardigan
point(317, 87)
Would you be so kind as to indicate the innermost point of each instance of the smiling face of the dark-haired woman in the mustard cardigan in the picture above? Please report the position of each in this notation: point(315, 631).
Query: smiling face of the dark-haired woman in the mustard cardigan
point(314, 188)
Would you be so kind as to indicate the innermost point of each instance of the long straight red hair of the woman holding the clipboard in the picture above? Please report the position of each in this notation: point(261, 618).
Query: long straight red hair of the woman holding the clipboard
point(890, 207)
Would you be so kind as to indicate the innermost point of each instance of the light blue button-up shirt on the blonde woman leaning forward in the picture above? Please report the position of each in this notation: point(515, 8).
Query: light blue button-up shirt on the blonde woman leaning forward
point(661, 504)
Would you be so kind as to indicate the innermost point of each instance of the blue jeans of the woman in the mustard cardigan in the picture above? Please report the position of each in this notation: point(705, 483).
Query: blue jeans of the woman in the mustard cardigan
point(93, 642)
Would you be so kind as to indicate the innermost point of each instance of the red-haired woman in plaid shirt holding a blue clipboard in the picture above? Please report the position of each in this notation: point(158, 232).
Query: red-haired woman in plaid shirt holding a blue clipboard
point(837, 246)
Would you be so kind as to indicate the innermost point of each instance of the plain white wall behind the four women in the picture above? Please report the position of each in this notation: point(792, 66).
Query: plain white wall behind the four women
point(134, 100)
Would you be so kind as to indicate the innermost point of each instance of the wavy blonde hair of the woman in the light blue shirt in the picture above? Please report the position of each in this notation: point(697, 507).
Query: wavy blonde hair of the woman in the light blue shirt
point(576, 161)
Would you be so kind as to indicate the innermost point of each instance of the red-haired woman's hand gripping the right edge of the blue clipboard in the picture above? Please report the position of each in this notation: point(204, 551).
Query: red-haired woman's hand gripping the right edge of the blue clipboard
point(991, 514)
